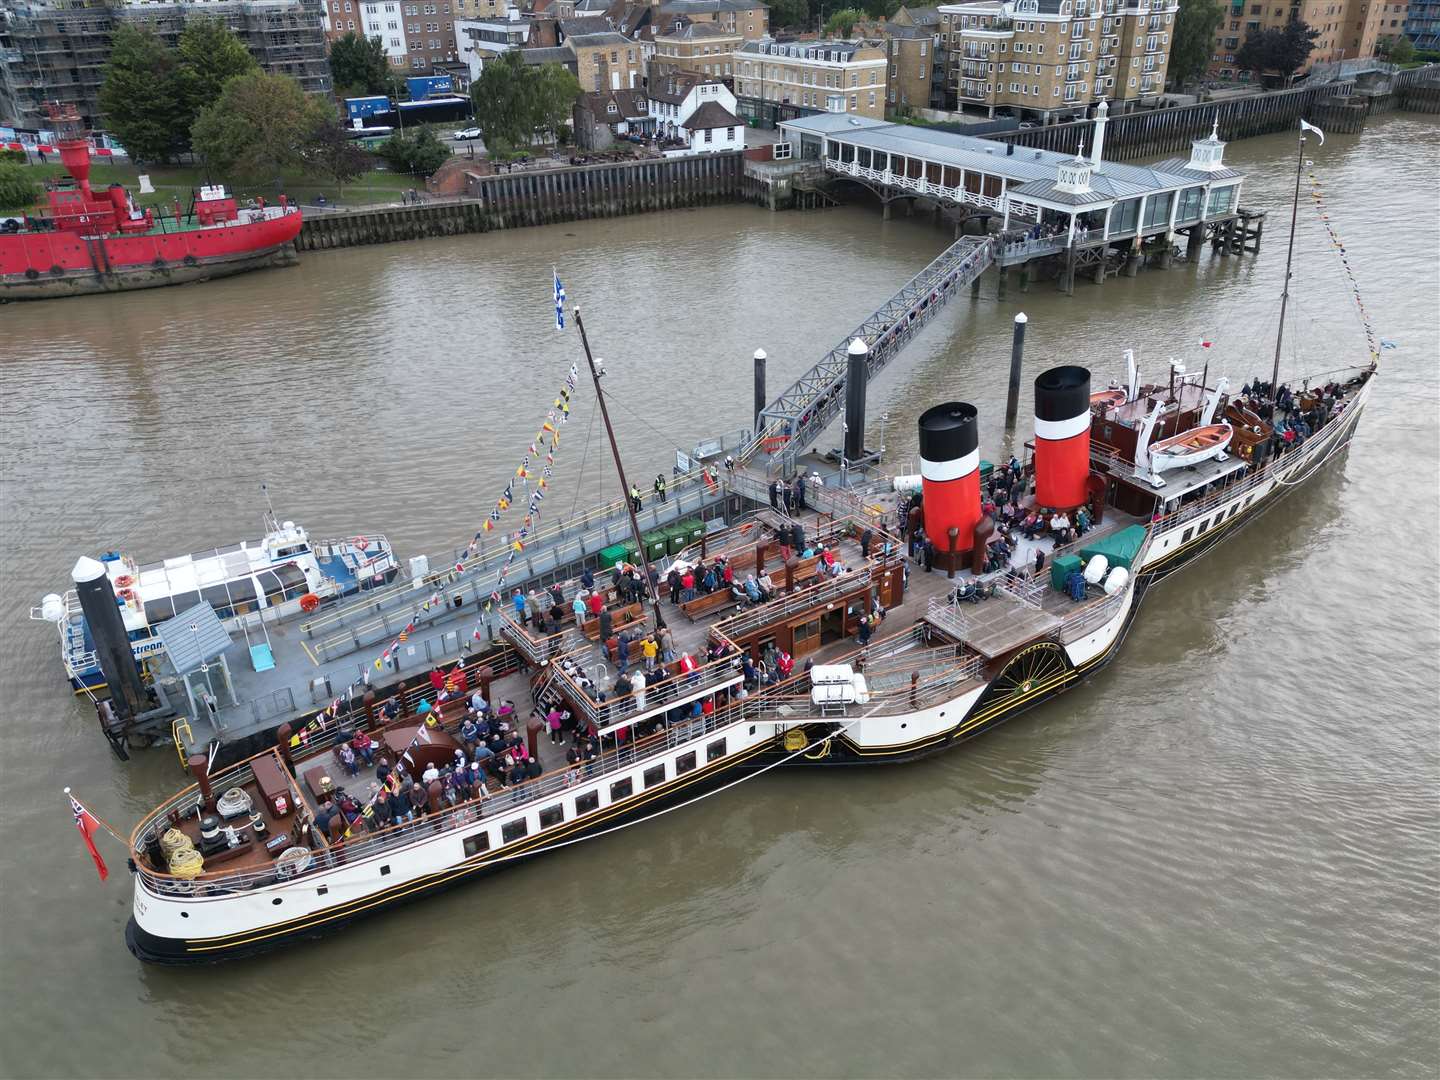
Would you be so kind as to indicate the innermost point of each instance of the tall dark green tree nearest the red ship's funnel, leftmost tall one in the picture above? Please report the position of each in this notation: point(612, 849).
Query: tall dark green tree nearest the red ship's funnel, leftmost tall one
point(140, 97)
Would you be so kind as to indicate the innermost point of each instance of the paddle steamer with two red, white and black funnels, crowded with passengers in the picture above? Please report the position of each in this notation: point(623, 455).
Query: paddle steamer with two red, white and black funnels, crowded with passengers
point(634, 701)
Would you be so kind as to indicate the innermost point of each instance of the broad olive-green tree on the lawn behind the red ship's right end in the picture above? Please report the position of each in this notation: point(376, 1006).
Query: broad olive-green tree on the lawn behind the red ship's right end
point(260, 127)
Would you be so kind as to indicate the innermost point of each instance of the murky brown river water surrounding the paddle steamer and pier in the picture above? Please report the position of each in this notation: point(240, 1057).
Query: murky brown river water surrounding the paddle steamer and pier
point(1219, 858)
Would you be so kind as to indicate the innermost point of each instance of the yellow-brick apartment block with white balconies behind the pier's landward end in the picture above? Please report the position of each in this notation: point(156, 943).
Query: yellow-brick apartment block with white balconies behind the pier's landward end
point(1050, 61)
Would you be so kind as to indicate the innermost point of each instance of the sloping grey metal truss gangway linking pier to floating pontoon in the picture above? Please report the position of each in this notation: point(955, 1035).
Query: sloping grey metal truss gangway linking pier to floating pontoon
point(794, 421)
